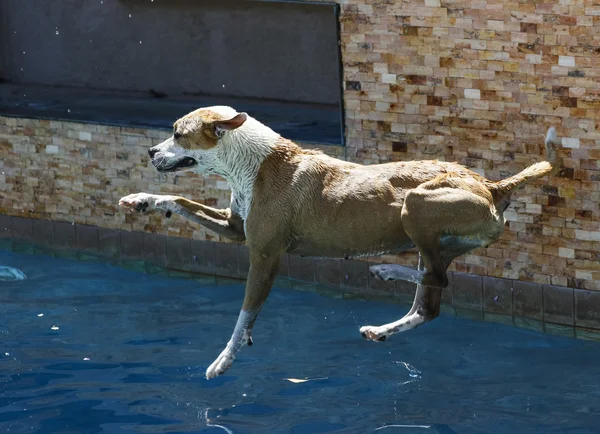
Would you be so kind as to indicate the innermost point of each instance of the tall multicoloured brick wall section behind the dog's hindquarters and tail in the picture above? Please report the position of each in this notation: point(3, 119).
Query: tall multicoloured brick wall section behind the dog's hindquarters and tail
point(479, 82)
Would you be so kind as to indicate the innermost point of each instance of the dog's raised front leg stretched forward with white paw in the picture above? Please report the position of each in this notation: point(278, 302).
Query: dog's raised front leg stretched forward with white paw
point(221, 221)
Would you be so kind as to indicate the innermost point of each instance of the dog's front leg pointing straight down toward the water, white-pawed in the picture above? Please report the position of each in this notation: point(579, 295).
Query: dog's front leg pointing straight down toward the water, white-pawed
point(261, 275)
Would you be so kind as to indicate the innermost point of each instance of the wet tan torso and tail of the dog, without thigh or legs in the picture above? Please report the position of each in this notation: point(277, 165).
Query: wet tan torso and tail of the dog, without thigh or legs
point(334, 208)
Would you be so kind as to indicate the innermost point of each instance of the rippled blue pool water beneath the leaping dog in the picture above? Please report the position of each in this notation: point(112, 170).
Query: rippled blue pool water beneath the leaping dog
point(149, 340)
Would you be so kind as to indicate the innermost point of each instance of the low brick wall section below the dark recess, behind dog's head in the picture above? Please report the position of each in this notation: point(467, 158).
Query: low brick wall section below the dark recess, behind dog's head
point(76, 172)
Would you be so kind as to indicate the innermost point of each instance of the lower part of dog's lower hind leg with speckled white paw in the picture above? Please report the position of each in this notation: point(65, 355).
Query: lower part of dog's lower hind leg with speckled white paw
point(426, 307)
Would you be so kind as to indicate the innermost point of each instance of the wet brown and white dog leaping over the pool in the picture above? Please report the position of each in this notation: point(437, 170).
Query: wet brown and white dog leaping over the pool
point(288, 199)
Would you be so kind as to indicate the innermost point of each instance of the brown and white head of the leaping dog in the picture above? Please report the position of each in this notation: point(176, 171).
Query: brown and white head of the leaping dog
point(195, 139)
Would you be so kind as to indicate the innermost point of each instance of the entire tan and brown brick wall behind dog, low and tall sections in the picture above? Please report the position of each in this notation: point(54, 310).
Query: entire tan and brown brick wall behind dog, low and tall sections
point(477, 82)
